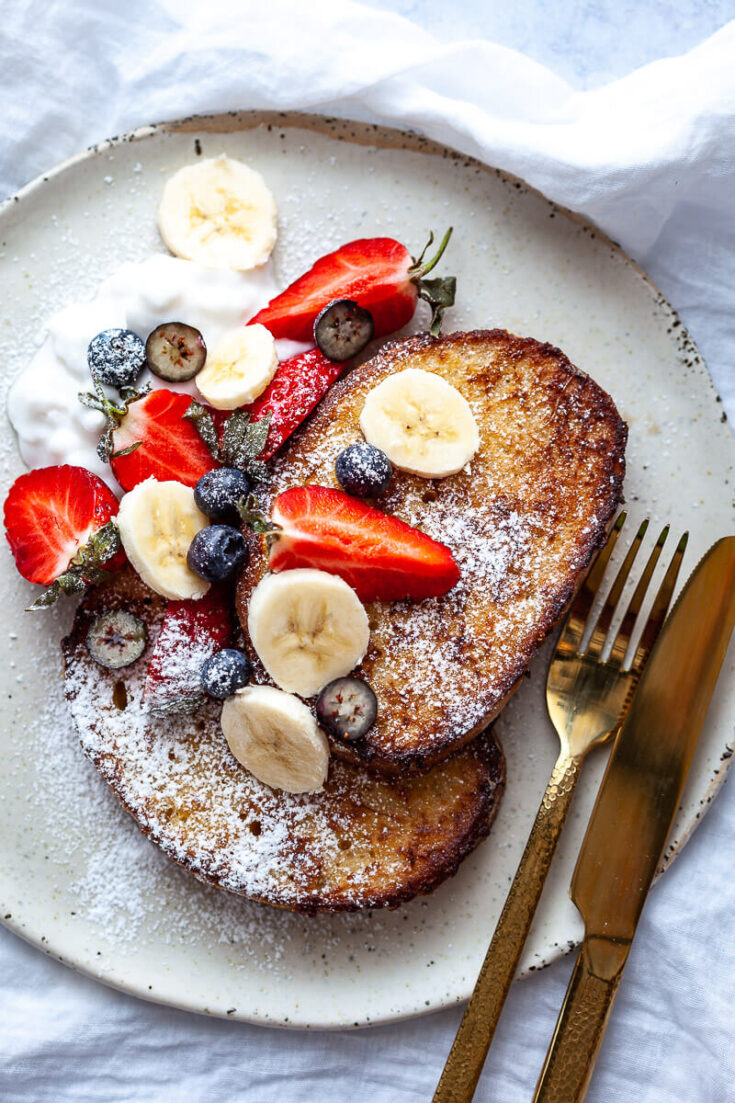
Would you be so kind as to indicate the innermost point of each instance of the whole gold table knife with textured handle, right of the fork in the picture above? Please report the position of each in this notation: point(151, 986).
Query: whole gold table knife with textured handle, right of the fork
point(635, 810)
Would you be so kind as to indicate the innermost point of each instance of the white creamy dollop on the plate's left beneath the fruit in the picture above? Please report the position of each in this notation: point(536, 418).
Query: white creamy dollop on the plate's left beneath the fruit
point(51, 423)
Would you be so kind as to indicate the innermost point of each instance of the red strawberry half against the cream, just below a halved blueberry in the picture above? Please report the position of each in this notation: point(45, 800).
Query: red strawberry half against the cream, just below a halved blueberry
point(168, 446)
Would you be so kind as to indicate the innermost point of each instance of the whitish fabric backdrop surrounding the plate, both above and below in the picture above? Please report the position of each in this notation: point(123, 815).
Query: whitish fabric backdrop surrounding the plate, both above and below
point(651, 157)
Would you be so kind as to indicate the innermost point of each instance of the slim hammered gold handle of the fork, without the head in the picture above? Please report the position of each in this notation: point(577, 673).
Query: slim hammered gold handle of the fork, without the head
point(471, 1047)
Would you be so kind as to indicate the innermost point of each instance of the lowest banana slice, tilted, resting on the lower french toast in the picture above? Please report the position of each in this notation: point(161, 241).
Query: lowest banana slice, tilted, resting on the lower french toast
point(275, 736)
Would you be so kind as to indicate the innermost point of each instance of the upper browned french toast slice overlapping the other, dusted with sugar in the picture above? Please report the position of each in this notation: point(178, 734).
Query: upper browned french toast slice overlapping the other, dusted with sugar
point(524, 521)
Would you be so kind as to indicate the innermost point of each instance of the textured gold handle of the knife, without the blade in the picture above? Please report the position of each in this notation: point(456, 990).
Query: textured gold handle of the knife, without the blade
point(582, 1022)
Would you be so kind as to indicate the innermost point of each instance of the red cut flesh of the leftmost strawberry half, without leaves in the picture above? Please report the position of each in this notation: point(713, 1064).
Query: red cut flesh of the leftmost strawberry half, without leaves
point(52, 513)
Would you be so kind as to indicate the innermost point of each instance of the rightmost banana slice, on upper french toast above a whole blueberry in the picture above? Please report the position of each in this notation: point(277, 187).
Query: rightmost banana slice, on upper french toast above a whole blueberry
point(422, 424)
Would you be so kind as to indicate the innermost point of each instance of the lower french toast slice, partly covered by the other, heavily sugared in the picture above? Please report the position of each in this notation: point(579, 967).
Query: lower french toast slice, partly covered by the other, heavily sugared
point(363, 842)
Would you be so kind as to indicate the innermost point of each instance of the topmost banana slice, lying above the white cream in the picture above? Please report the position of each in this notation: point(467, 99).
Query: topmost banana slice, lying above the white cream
point(220, 213)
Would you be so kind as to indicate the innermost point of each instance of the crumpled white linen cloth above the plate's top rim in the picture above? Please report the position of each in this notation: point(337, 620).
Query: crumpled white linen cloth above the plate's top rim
point(651, 158)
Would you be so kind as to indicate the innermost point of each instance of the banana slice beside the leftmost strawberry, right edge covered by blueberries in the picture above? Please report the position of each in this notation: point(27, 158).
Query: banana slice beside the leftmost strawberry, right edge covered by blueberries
point(158, 522)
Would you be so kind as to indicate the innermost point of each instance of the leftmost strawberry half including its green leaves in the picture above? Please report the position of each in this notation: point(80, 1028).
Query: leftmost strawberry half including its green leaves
point(60, 530)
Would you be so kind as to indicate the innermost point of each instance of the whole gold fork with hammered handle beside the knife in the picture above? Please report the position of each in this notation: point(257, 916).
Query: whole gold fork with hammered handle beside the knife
point(588, 699)
